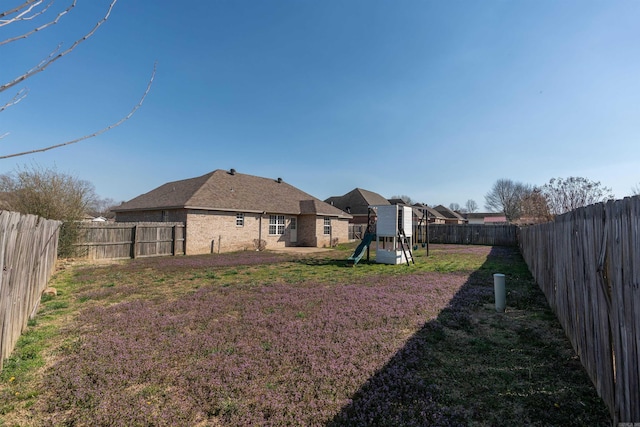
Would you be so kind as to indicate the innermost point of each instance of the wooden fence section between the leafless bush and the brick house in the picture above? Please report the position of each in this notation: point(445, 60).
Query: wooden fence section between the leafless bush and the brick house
point(120, 240)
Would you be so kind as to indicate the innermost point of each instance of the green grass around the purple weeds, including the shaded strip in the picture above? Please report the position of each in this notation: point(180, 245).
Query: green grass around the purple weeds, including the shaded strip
point(479, 367)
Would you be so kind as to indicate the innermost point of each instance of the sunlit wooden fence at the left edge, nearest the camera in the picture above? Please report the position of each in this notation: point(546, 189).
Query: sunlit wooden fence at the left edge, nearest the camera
point(28, 250)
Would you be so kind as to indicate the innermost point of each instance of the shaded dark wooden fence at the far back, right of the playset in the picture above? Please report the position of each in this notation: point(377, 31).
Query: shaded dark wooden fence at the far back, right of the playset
point(474, 234)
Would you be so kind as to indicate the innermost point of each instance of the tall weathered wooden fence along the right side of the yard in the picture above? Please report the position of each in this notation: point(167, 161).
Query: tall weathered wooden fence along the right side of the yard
point(587, 263)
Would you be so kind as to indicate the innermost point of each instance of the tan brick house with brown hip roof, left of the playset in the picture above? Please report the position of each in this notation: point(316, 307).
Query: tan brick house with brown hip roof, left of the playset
point(226, 211)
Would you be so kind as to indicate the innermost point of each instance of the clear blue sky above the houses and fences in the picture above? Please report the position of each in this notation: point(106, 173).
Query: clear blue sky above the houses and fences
point(431, 99)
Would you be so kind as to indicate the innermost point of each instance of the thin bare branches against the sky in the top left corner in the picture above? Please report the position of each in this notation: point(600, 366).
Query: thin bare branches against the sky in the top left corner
point(37, 16)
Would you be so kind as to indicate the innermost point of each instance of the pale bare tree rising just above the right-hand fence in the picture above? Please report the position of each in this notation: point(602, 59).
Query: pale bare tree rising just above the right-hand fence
point(564, 195)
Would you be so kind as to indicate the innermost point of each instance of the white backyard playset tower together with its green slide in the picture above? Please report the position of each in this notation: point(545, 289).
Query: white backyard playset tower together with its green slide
point(392, 232)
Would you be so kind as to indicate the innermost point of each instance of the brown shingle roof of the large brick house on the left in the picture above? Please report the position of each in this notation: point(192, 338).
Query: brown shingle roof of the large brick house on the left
point(231, 191)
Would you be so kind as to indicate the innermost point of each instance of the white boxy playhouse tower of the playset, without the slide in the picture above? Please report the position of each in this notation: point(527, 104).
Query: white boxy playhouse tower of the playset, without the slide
point(393, 234)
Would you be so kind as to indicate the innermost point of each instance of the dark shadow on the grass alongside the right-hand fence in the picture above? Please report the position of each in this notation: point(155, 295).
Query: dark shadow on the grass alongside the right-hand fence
point(474, 366)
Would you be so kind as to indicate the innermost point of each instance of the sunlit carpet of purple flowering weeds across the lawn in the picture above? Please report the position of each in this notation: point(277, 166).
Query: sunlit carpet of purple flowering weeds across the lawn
point(270, 355)
